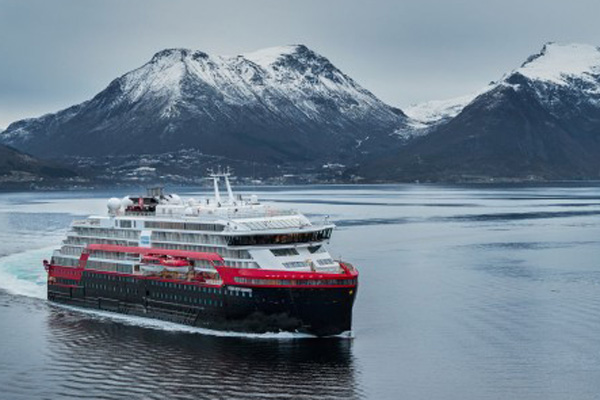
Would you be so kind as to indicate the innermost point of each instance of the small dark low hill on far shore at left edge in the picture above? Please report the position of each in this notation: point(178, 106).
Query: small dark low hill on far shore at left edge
point(17, 168)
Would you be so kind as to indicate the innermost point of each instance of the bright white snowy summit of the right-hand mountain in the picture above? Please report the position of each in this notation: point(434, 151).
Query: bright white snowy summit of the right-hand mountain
point(556, 62)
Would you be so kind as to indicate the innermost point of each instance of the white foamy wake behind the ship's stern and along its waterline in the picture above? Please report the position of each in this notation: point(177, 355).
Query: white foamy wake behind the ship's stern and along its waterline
point(23, 274)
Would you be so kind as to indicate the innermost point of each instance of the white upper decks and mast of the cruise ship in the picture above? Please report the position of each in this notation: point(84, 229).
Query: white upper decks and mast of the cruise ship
point(245, 232)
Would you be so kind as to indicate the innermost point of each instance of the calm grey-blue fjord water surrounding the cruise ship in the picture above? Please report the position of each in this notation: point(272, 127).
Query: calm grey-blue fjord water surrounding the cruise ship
point(465, 293)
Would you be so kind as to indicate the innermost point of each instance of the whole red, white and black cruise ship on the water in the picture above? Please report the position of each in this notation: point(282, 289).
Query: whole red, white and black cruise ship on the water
point(226, 263)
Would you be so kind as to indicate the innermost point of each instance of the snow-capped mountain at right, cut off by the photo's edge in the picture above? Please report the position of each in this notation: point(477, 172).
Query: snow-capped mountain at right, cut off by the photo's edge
point(541, 121)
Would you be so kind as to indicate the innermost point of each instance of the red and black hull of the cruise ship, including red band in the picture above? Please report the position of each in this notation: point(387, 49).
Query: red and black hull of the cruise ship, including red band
point(243, 300)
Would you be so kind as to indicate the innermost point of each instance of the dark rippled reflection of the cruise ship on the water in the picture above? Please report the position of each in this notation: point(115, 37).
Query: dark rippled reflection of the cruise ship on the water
point(106, 359)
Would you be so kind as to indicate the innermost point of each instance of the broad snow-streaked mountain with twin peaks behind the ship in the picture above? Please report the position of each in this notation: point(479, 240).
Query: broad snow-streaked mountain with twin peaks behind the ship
point(279, 105)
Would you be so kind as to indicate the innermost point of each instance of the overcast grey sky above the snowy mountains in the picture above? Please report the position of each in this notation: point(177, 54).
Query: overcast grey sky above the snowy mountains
point(56, 53)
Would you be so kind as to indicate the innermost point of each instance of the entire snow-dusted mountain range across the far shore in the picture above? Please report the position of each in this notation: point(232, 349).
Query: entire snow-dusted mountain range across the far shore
point(290, 109)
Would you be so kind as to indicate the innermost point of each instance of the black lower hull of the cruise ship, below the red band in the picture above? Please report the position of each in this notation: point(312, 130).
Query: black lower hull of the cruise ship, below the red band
point(317, 311)
